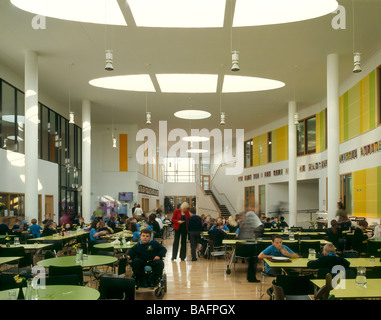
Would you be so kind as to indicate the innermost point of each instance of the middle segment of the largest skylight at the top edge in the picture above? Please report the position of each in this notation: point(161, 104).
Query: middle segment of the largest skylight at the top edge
point(178, 13)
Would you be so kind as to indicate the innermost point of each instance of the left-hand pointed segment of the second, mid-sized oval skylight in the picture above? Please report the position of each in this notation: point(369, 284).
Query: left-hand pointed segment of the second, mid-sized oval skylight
point(137, 82)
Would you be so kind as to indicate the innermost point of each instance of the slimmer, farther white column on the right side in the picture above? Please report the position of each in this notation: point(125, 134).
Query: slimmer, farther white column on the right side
point(292, 172)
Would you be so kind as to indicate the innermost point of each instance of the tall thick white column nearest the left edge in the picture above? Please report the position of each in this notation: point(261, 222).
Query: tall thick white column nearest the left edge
point(31, 135)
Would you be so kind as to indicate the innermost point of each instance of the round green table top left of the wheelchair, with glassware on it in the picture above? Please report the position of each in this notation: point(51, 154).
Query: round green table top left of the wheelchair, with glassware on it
point(92, 261)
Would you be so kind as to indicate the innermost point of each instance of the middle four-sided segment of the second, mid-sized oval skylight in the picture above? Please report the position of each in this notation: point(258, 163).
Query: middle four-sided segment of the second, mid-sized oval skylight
point(188, 83)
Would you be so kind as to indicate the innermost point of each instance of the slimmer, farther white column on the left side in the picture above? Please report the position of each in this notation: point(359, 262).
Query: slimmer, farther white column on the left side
point(86, 160)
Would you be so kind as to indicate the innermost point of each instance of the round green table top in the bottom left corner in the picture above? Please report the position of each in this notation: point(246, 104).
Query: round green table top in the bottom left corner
point(60, 293)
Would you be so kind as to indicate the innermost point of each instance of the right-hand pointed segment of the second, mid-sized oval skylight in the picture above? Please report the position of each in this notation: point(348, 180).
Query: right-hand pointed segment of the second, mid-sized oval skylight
point(249, 84)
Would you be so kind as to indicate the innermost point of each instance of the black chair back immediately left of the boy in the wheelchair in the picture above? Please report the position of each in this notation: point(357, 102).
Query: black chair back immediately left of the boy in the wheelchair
point(114, 287)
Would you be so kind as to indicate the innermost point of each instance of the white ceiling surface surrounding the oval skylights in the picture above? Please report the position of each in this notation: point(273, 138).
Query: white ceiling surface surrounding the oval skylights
point(292, 53)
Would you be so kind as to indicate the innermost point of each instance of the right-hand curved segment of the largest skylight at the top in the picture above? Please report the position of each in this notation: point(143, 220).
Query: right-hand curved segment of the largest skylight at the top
point(267, 12)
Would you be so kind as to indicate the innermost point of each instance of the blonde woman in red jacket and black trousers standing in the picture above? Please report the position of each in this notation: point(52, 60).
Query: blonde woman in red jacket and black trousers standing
point(180, 225)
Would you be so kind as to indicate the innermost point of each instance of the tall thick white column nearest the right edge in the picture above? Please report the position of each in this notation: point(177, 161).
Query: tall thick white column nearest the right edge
point(333, 134)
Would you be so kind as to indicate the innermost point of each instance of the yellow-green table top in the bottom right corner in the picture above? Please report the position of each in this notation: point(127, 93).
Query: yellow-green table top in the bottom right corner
point(348, 289)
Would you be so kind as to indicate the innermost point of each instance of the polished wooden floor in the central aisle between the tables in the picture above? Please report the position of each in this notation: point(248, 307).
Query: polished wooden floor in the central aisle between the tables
point(206, 280)
